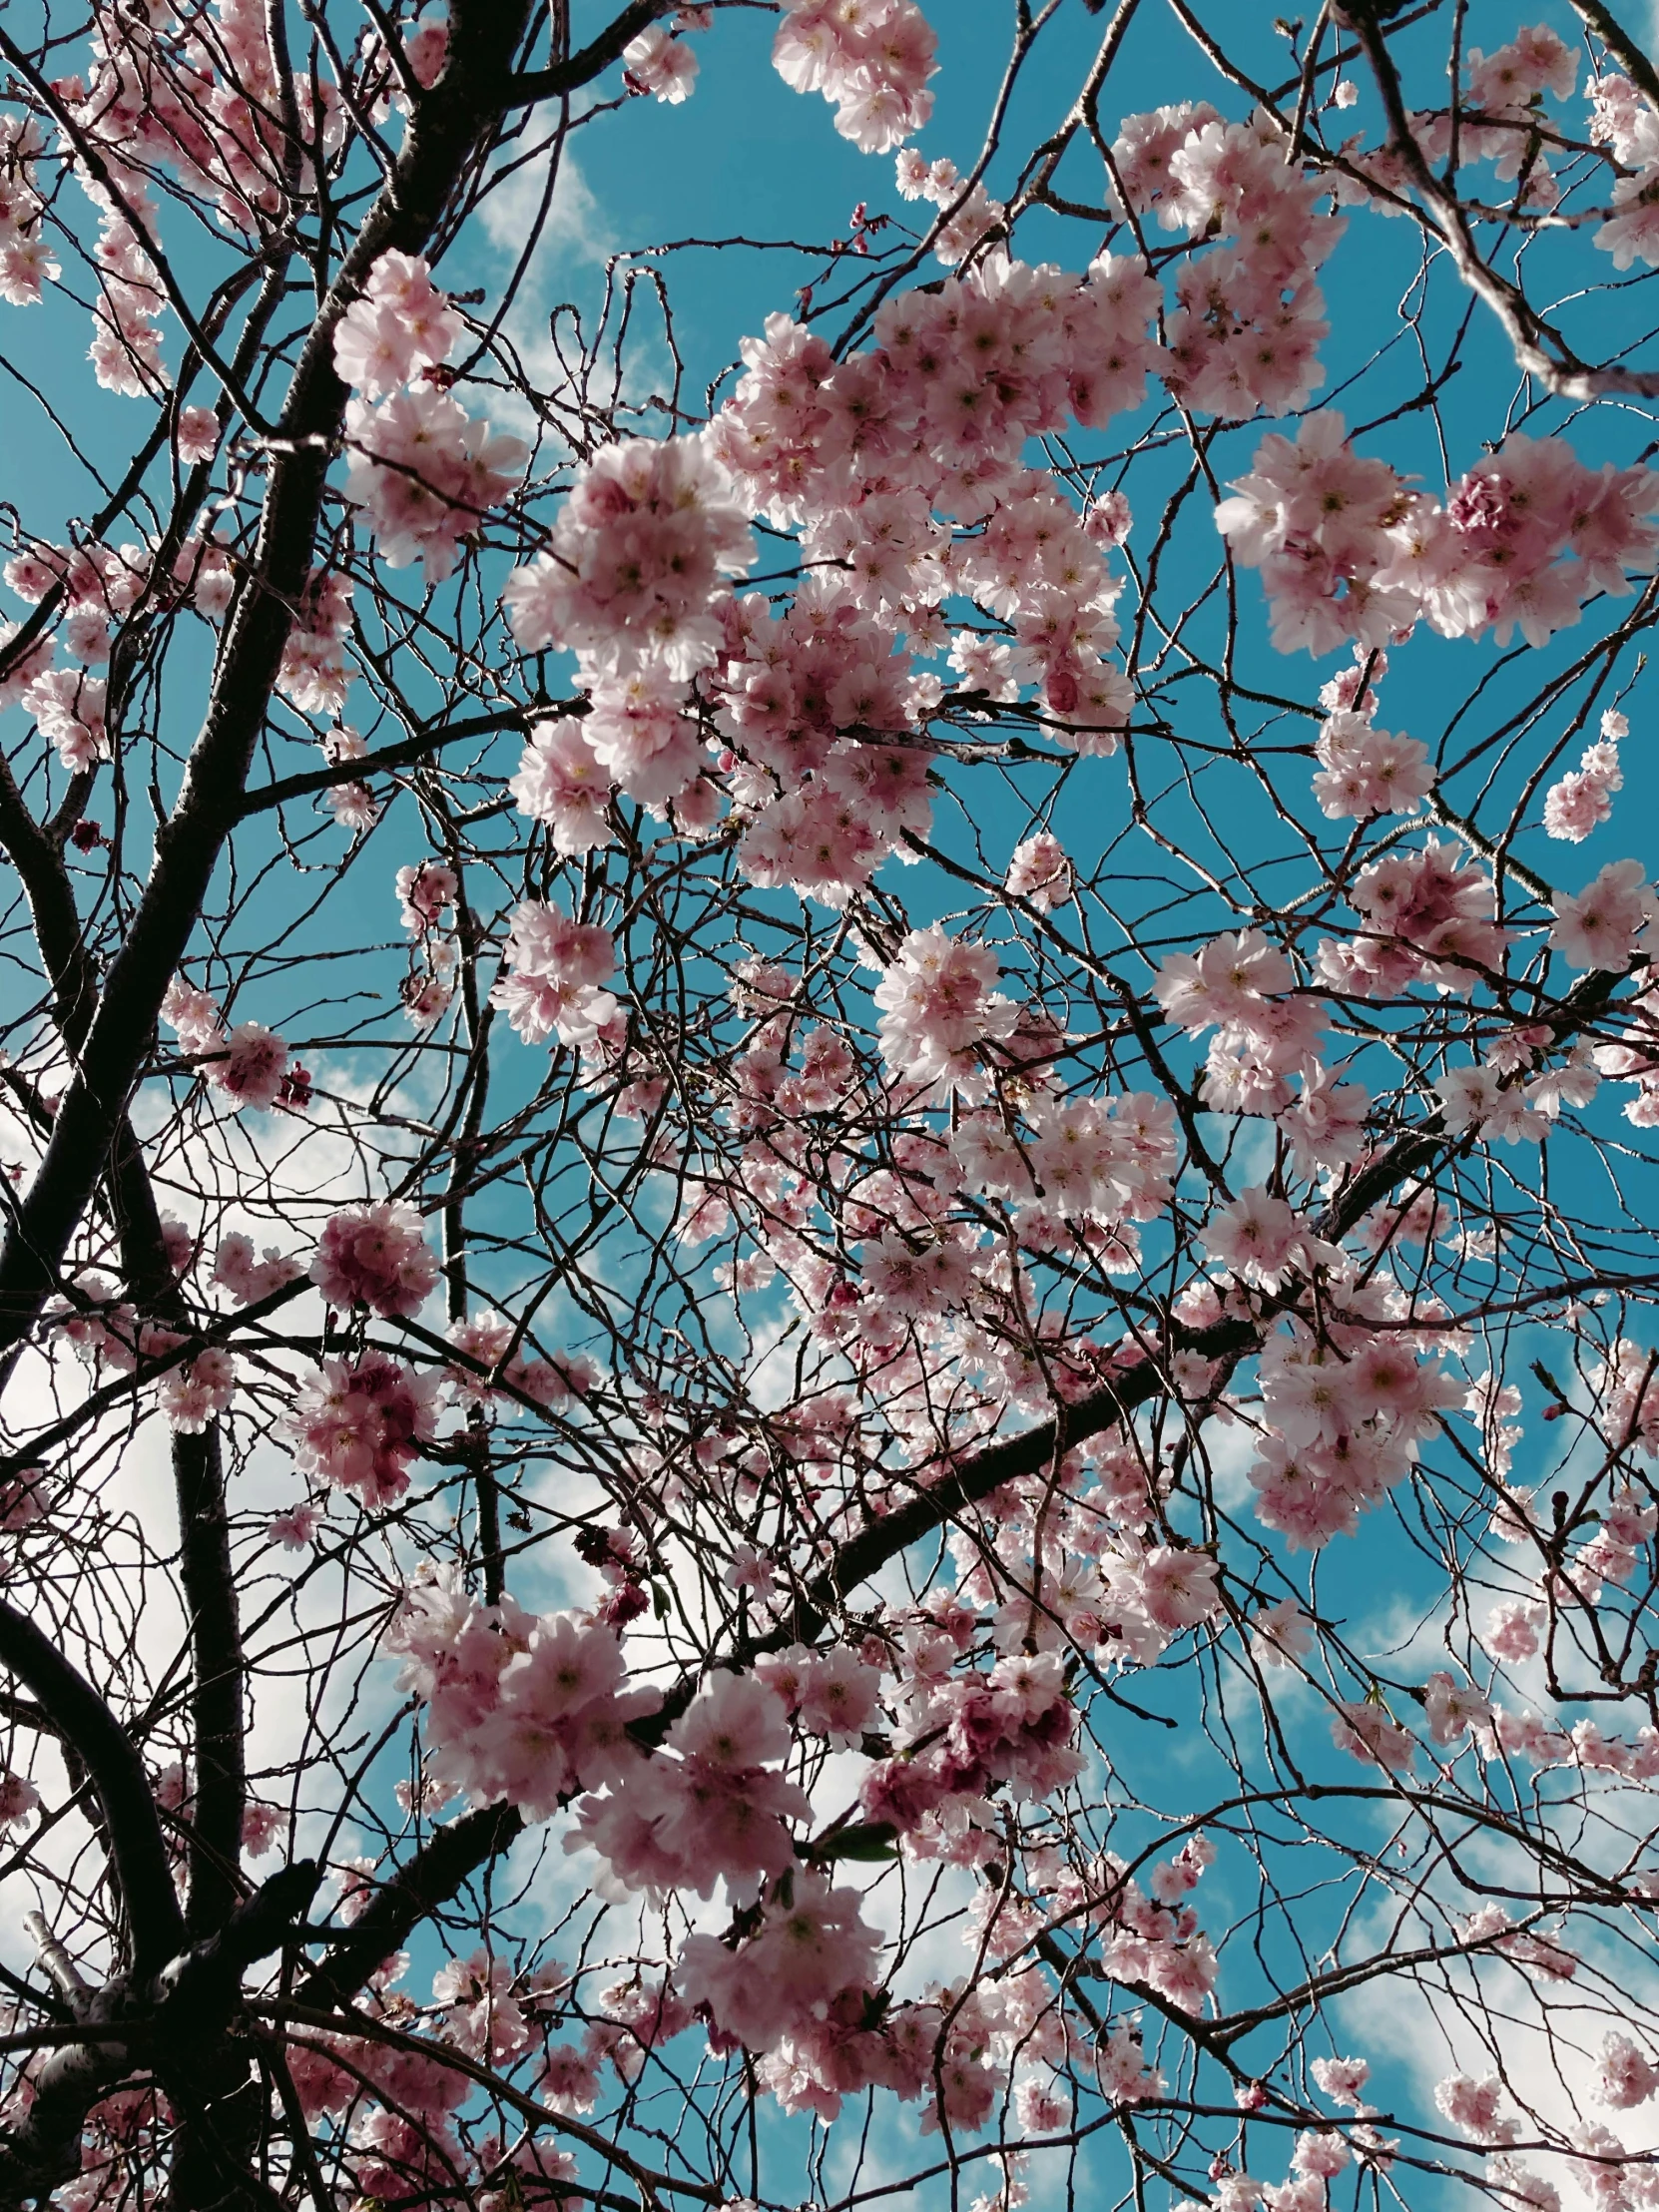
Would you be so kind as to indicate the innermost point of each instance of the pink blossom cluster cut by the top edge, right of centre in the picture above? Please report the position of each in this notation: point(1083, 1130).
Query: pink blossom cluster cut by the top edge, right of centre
point(873, 59)
